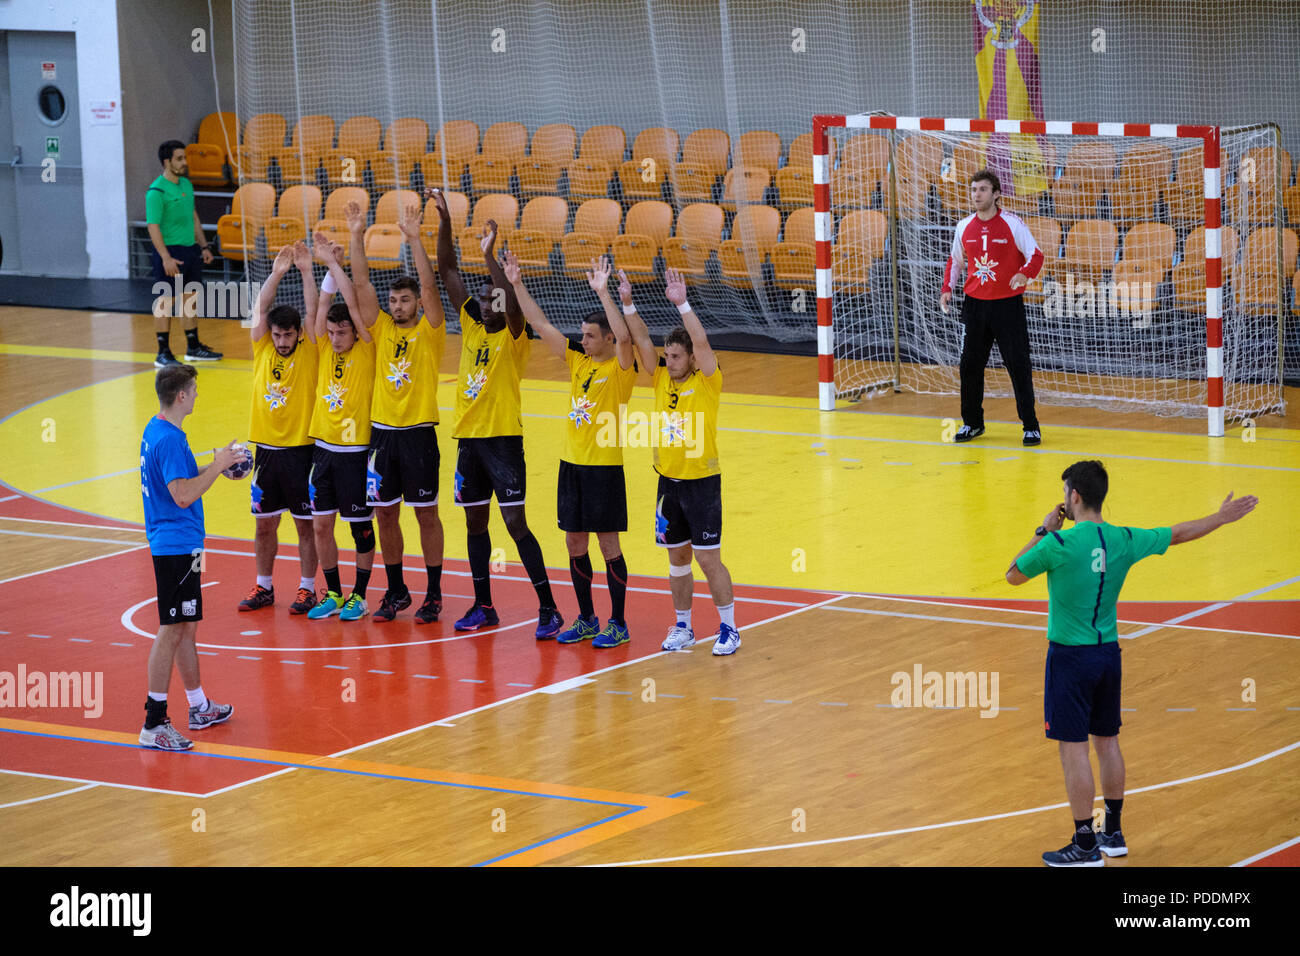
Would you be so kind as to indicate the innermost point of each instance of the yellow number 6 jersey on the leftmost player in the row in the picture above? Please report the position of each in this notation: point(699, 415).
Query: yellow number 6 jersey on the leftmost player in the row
point(283, 393)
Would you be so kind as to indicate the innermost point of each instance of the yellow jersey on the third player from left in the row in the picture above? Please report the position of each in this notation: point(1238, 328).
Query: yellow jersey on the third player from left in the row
point(406, 373)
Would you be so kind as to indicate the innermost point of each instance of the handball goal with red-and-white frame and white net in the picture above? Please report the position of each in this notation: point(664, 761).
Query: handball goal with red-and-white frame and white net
point(1162, 288)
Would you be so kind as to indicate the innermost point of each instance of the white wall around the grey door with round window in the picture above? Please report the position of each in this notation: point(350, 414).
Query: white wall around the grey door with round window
point(98, 79)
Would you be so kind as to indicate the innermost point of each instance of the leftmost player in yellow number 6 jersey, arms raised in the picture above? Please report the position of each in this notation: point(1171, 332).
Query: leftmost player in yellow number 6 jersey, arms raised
point(284, 384)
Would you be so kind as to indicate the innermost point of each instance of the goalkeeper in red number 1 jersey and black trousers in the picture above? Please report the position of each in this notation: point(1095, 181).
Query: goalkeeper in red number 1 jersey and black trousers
point(1003, 258)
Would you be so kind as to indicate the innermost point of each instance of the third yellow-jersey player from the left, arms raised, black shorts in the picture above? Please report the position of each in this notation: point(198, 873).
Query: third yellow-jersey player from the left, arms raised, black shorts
point(402, 464)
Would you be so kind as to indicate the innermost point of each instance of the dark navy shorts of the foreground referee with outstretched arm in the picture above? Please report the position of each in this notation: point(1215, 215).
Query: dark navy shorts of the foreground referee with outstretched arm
point(1081, 693)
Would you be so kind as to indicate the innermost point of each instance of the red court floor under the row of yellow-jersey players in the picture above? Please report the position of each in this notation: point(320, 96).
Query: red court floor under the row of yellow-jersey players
point(317, 687)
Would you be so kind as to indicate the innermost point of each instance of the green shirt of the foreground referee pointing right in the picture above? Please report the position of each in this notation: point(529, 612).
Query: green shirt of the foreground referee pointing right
point(1086, 569)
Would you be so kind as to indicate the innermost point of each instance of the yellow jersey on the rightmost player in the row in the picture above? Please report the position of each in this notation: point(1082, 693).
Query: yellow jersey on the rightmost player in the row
point(686, 423)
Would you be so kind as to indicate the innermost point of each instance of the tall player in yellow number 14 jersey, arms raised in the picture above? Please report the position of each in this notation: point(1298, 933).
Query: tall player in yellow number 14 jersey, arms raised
point(491, 426)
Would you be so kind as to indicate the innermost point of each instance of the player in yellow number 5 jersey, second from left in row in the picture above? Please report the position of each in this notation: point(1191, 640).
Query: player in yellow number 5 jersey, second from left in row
point(341, 427)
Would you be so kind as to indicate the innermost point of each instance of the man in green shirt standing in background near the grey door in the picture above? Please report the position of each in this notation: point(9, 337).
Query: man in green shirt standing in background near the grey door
point(179, 246)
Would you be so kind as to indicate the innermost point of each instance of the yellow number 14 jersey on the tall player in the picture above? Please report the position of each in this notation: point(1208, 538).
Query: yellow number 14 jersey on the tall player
point(492, 364)
